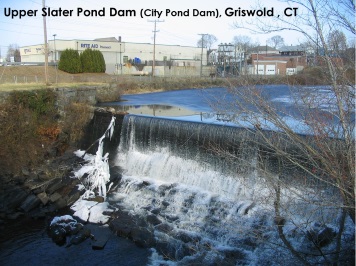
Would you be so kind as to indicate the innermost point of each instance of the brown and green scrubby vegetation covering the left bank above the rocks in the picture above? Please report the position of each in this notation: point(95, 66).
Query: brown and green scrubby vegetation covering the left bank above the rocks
point(32, 130)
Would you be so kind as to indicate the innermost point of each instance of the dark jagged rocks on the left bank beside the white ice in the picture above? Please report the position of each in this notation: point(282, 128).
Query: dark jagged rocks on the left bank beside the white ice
point(39, 193)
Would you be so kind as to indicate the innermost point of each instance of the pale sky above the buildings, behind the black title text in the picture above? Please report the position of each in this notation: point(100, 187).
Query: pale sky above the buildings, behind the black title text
point(174, 30)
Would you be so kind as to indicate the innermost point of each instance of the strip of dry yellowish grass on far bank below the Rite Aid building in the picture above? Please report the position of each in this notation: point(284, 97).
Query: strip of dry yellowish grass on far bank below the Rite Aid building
point(32, 77)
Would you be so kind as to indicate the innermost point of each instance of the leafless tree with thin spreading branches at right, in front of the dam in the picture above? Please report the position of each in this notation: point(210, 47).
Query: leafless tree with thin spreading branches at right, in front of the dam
point(324, 154)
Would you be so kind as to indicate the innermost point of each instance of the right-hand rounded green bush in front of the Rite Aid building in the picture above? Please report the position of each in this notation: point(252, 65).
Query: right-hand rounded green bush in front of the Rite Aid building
point(92, 61)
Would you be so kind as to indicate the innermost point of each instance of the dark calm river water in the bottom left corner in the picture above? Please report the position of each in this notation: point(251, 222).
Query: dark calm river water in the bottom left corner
point(26, 243)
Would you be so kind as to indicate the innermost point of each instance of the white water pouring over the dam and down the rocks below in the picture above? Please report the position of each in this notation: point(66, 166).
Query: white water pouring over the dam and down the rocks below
point(211, 210)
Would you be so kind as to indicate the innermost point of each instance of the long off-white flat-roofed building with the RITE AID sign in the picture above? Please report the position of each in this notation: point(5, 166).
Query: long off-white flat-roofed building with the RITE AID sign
point(125, 58)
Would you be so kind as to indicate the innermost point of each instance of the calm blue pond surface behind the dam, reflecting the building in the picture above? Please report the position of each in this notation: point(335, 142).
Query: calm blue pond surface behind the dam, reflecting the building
point(223, 106)
